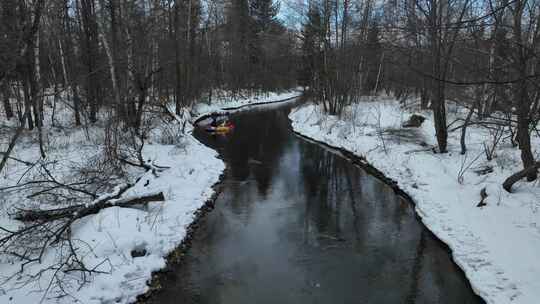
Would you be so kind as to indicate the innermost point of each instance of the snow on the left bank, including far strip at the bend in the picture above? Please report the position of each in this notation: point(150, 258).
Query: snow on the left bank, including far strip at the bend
point(107, 240)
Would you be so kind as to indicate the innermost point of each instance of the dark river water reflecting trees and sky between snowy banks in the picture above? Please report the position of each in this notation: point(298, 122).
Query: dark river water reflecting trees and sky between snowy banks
point(298, 224)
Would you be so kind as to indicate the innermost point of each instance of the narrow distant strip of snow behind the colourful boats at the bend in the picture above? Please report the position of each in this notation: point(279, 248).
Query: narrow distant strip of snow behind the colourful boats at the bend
point(225, 102)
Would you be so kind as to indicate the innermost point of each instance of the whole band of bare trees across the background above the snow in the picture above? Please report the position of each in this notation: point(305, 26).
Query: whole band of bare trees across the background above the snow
point(118, 56)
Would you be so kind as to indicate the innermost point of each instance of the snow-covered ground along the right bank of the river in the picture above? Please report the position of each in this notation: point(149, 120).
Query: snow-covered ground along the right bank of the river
point(498, 245)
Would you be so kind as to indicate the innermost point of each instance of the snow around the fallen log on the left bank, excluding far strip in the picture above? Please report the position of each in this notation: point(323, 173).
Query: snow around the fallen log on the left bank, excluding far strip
point(106, 240)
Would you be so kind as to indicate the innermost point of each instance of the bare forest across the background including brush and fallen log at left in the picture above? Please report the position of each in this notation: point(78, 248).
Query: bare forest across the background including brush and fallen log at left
point(113, 78)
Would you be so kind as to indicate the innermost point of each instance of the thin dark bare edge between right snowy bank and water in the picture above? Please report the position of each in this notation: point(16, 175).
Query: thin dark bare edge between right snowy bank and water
point(364, 164)
